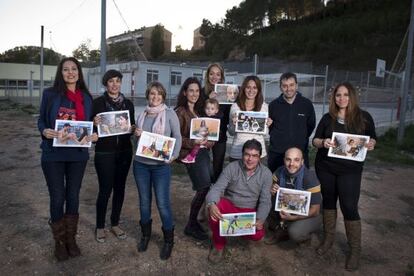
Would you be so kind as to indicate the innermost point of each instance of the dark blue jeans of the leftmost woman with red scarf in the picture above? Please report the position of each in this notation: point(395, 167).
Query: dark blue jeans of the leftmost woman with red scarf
point(64, 180)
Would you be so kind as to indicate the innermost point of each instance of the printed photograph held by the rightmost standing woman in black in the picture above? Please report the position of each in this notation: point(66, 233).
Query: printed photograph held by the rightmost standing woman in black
point(349, 146)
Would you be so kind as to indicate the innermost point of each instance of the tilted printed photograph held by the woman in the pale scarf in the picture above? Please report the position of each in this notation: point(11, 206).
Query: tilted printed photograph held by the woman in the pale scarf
point(155, 146)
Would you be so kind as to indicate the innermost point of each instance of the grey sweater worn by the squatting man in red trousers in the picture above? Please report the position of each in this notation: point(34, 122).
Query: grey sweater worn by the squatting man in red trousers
point(244, 192)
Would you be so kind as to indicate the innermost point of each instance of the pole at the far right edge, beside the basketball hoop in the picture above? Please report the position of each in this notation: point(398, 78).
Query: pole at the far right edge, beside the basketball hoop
point(406, 77)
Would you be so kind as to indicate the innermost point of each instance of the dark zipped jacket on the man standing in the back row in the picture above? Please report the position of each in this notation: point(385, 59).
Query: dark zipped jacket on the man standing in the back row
point(292, 123)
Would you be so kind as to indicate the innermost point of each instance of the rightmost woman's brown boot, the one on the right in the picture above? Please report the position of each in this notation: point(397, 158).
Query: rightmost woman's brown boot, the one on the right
point(353, 233)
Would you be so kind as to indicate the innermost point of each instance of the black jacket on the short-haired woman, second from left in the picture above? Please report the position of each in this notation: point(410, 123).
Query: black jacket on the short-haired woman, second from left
point(113, 143)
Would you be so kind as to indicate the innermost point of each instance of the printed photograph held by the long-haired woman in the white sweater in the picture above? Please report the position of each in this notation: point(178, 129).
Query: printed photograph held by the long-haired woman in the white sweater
point(251, 122)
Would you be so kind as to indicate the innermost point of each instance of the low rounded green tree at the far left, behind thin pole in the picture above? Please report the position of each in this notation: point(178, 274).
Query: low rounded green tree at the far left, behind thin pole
point(31, 55)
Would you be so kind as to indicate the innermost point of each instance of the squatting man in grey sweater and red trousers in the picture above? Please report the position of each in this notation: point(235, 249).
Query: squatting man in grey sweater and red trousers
point(245, 185)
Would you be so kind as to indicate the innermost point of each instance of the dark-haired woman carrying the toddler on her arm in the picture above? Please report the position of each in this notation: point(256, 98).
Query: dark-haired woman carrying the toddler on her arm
point(189, 106)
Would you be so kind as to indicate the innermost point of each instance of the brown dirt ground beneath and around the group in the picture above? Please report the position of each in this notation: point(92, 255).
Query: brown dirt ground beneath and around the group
point(386, 207)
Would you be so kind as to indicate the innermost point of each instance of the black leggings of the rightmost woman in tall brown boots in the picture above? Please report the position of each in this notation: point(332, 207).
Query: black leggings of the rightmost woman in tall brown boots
point(346, 187)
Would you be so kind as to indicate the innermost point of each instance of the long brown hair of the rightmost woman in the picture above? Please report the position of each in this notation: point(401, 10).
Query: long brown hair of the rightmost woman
point(354, 120)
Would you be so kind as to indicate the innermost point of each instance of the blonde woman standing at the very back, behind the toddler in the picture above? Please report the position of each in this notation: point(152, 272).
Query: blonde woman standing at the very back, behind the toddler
point(215, 75)
